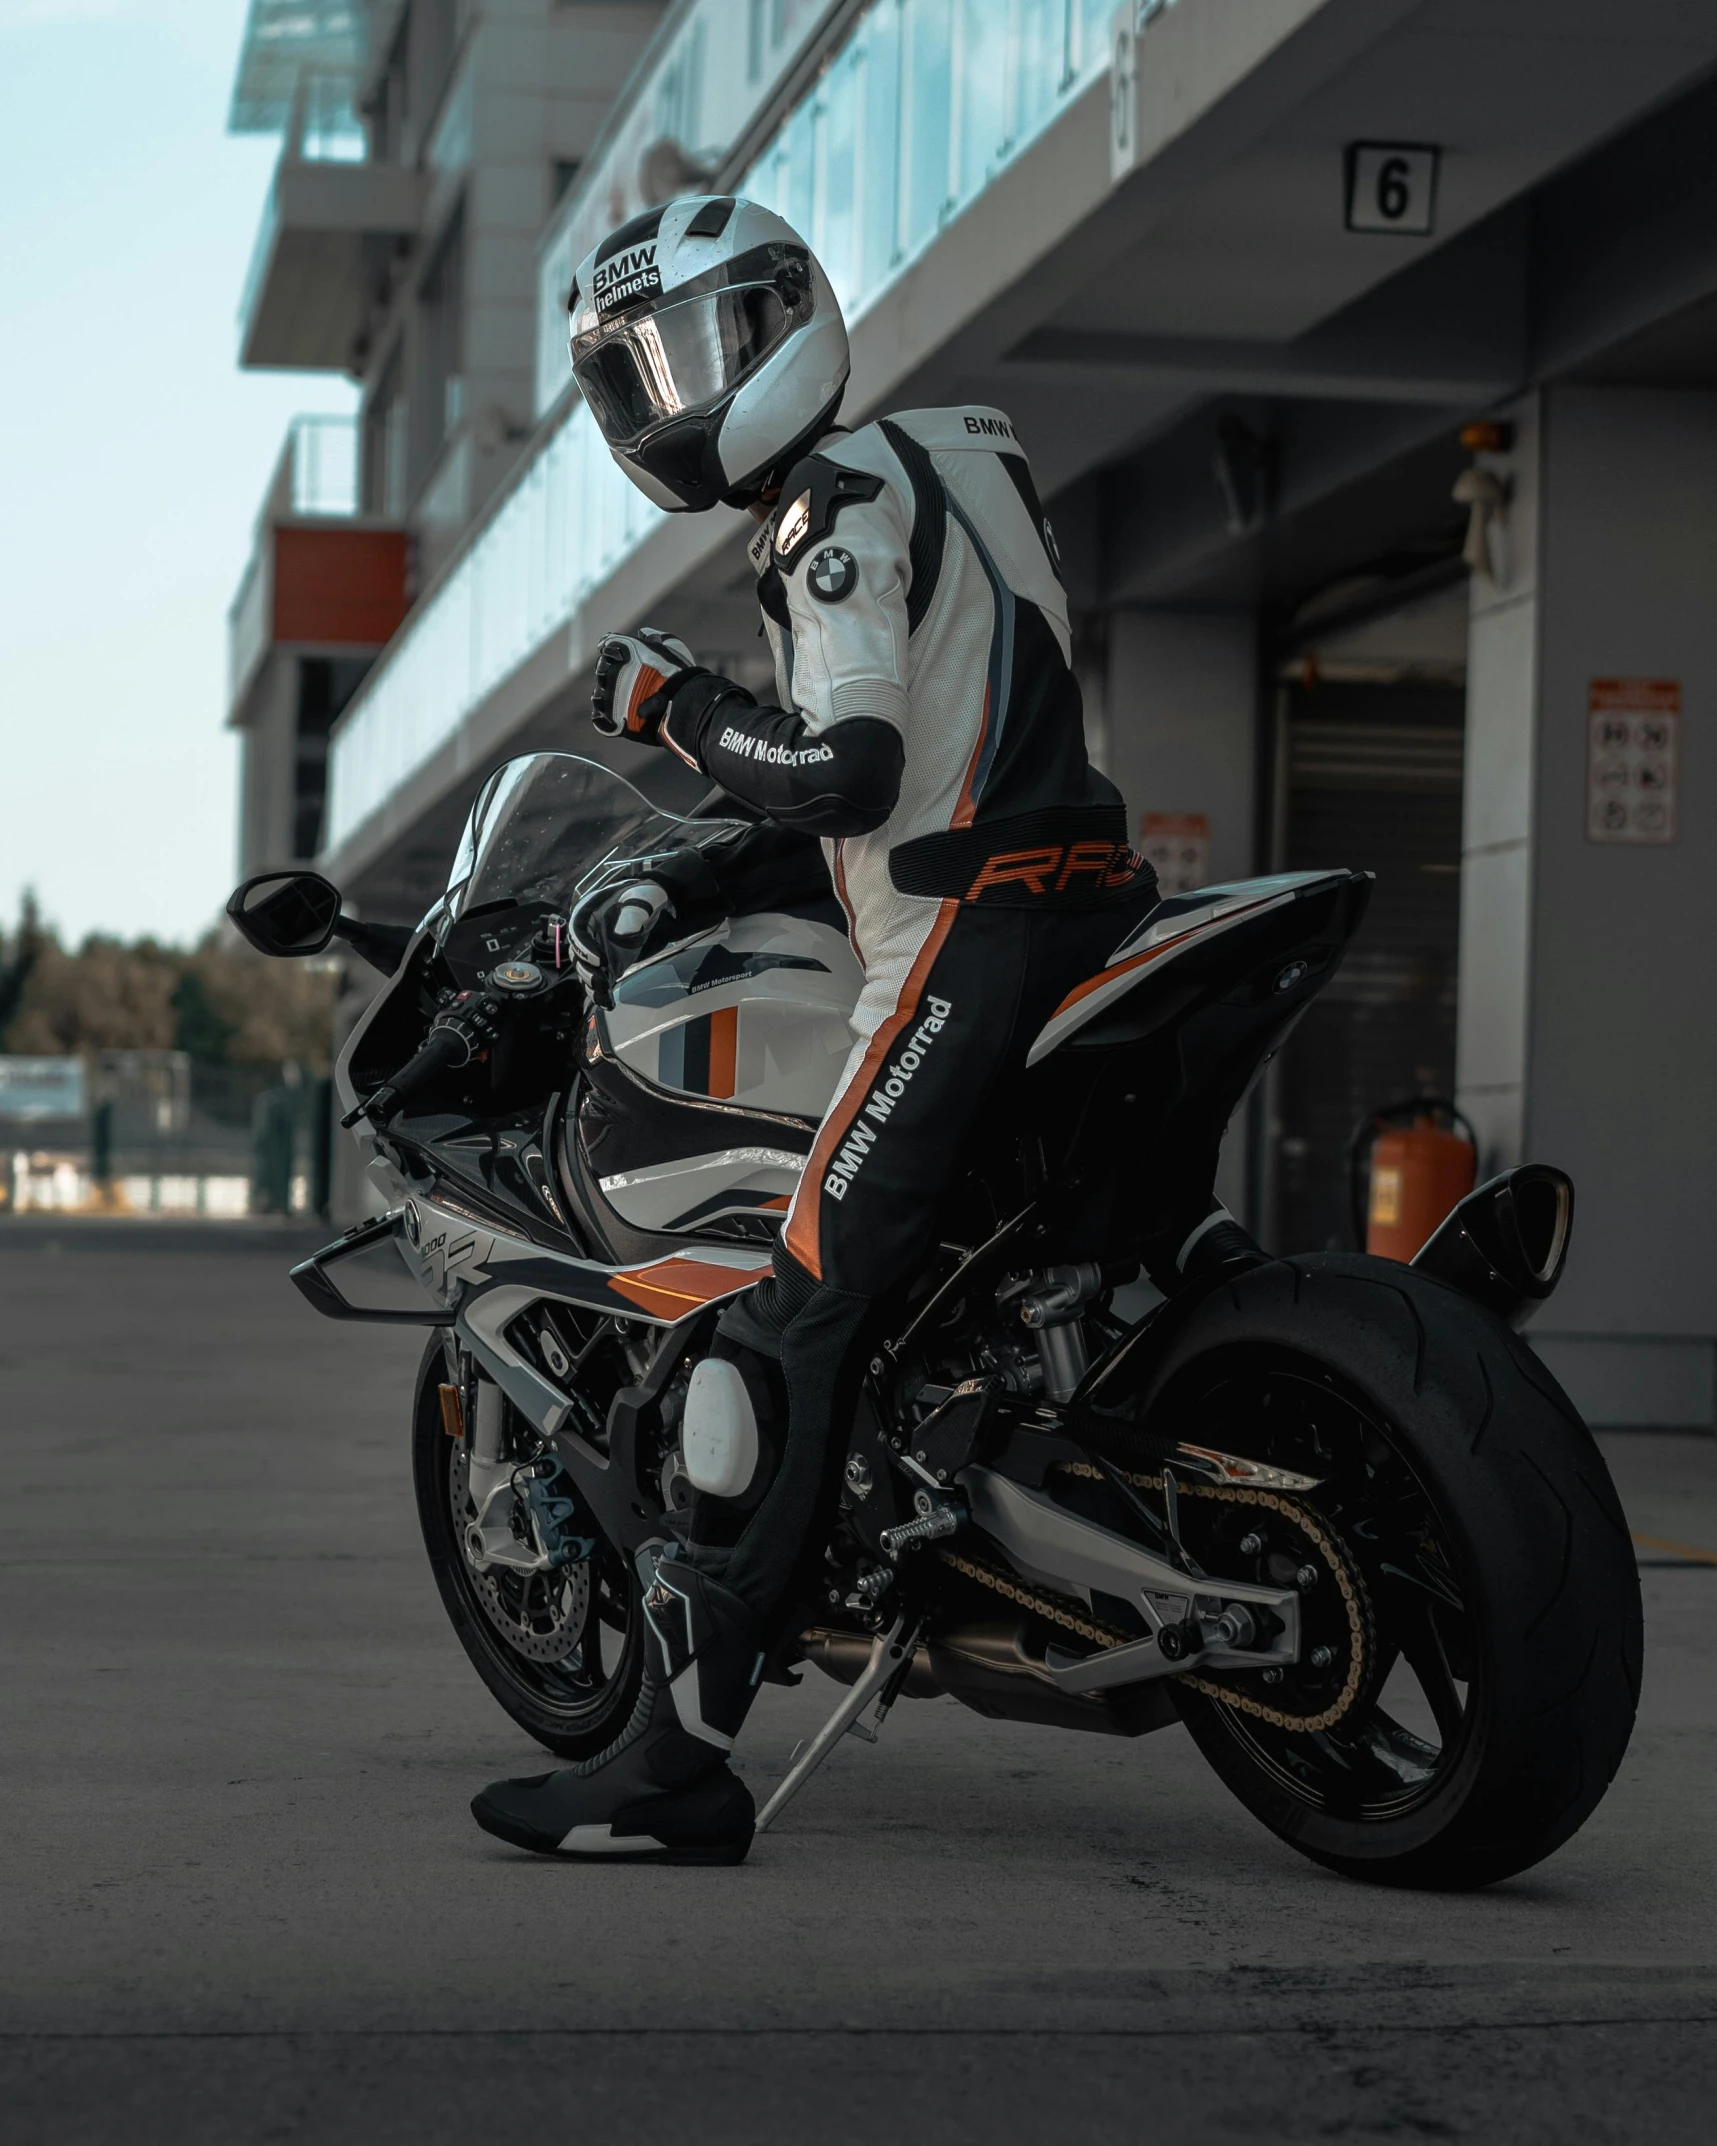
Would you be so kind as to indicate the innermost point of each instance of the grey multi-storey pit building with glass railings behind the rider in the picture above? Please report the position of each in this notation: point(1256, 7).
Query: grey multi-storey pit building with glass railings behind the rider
point(1366, 353)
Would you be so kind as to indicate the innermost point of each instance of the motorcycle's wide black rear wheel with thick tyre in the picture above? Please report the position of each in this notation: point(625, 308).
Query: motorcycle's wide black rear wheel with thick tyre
point(1482, 1538)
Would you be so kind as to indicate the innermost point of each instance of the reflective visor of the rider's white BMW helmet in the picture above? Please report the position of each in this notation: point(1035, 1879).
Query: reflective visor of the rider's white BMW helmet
point(647, 368)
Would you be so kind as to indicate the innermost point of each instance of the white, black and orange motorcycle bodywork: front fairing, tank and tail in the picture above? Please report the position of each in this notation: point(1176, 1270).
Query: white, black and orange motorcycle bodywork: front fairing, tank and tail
point(615, 1158)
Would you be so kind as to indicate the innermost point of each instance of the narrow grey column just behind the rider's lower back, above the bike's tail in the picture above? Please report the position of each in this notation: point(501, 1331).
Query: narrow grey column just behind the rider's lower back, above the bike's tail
point(1179, 733)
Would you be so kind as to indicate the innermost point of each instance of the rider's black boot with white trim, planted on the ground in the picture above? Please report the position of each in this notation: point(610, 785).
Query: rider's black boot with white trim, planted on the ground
point(662, 1791)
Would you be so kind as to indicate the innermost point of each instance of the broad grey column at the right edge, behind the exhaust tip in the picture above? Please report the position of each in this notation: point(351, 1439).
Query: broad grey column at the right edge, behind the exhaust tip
point(1589, 969)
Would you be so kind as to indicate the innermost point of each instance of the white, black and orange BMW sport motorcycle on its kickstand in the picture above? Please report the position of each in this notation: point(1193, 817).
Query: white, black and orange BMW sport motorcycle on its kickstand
point(1323, 1510)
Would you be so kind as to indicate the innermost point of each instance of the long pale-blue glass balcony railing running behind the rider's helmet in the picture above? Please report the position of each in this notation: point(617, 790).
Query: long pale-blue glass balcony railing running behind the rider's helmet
point(918, 113)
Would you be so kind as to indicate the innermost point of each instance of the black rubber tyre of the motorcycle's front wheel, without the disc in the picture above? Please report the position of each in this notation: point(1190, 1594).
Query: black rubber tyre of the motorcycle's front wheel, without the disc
point(574, 1707)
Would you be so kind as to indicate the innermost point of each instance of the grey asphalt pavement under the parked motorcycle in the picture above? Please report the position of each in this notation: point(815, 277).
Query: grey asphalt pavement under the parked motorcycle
point(241, 1896)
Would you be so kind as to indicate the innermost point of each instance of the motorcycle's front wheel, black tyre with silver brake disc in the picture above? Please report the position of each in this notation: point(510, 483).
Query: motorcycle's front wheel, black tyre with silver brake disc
point(563, 1649)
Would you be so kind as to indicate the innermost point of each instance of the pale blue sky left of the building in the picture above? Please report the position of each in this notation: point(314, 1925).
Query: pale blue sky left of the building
point(134, 456)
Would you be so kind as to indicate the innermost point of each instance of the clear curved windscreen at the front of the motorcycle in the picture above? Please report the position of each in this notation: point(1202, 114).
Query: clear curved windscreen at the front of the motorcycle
point(548, 827)
